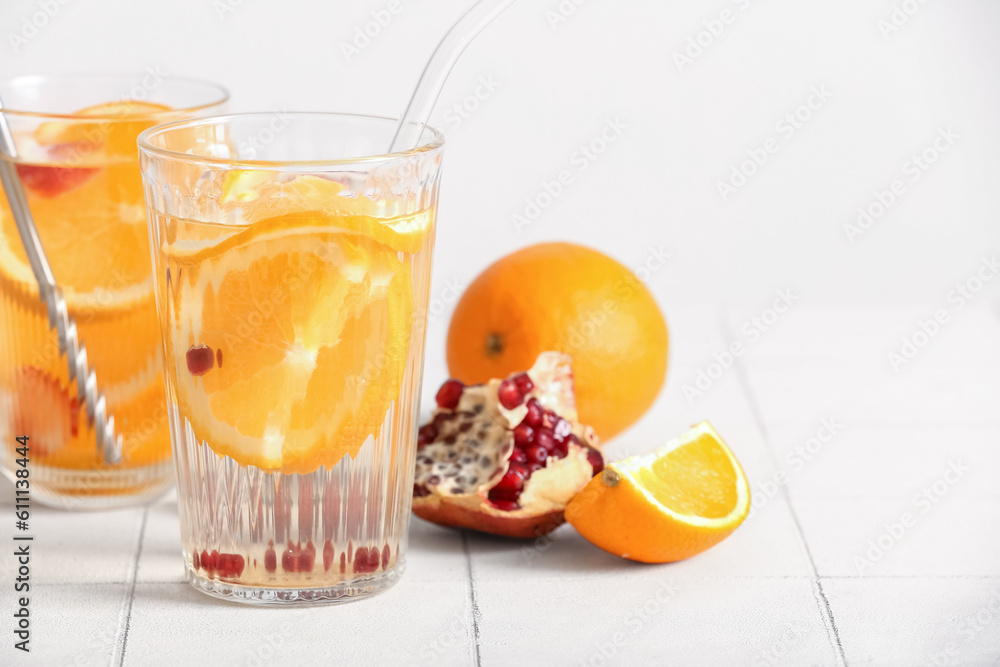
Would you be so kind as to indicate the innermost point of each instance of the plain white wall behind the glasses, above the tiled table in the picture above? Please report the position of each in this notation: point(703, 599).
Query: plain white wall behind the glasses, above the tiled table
point(686, 127)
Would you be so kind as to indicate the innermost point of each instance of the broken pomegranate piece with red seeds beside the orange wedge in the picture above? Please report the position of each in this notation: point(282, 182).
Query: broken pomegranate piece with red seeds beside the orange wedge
point(508, 456)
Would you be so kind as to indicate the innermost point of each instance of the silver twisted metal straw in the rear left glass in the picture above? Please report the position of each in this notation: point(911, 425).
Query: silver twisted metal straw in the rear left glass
point(109, 445)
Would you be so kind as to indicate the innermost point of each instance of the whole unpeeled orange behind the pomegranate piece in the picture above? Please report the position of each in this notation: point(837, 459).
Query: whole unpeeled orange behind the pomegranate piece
point(565, 297)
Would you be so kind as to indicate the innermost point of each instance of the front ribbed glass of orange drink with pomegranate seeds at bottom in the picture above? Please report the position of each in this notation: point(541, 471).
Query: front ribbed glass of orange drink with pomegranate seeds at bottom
point(292, 262)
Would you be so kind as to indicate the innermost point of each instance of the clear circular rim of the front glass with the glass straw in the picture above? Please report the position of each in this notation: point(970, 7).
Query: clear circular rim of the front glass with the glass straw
point(435, 142)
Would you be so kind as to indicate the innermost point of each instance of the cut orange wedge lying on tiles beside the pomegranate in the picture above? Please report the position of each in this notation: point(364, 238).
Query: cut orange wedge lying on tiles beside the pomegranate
point(667, 505)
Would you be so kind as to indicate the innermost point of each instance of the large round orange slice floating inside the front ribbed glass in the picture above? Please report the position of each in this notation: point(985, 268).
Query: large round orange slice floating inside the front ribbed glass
point(307, 321)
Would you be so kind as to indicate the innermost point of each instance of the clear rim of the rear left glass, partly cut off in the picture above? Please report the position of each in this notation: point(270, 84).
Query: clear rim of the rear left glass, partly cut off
point(221, 95)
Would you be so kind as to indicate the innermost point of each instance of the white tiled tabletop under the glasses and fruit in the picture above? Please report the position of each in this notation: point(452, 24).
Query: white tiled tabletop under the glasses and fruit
point(824, 572)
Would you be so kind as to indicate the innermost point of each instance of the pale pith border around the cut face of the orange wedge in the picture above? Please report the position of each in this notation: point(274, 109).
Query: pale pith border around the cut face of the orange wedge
point(629, 469)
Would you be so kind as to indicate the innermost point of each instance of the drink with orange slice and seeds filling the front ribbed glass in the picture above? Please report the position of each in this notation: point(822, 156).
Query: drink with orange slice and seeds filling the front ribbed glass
point(264, 532)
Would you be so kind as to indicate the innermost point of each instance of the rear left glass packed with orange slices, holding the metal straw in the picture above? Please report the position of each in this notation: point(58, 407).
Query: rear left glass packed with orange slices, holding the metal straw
point(75, 138)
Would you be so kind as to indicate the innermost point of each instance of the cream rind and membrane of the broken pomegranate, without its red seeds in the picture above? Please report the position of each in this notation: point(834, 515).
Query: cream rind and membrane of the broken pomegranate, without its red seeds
point(486, 446)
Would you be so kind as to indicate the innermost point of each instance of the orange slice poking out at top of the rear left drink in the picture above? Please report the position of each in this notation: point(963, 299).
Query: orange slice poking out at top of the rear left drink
point(114, 133)
